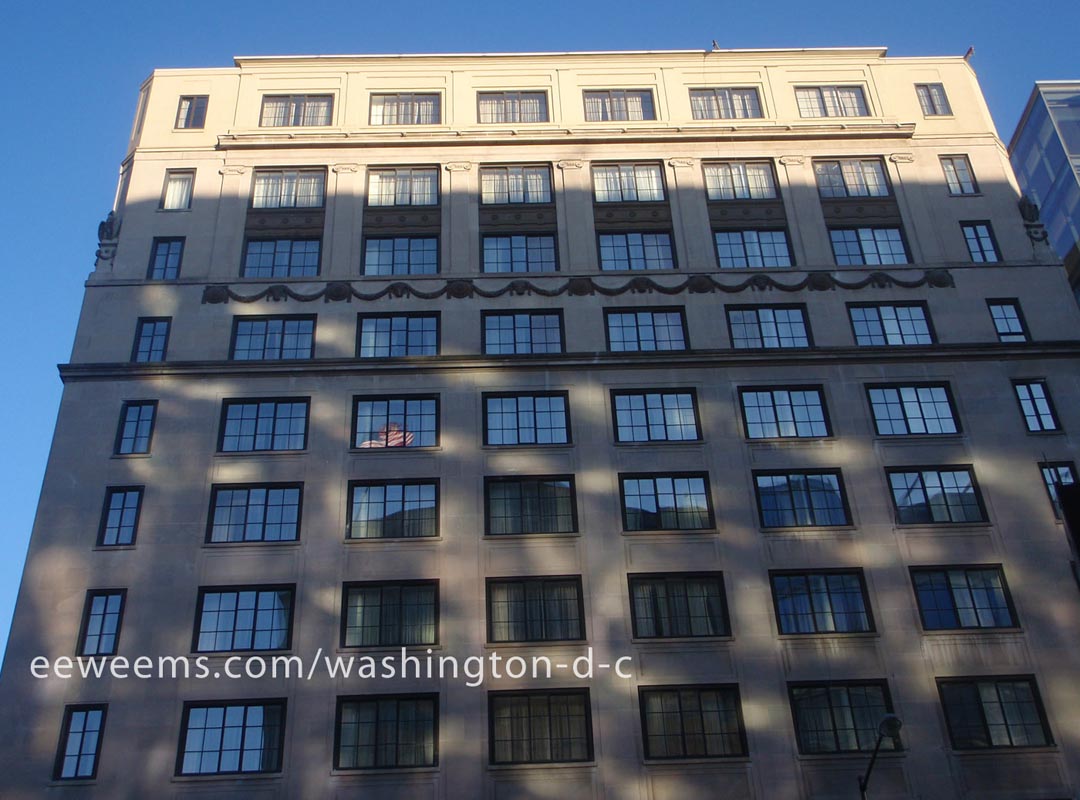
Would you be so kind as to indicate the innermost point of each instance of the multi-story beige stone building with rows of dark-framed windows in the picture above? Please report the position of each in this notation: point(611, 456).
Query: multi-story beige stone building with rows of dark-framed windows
point(737, 371)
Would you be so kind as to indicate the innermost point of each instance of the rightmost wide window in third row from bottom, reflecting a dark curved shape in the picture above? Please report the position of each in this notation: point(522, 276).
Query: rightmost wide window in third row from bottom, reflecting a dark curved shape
point(935, 496)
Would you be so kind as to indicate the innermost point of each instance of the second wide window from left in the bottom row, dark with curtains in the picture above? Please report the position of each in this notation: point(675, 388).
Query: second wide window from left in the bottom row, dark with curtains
point(387, 731)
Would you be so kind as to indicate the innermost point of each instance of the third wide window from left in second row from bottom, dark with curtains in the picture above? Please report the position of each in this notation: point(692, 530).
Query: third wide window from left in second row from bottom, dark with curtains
point(536, 609)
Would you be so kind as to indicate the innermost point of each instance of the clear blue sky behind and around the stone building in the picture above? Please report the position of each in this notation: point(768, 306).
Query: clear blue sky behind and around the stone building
point(73, 73)
